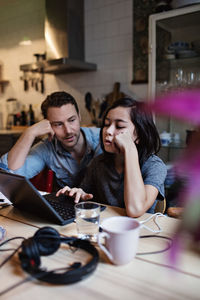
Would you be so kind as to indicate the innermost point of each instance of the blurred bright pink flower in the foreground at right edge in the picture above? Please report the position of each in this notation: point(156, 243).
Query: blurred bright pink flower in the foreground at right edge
point(185, 105)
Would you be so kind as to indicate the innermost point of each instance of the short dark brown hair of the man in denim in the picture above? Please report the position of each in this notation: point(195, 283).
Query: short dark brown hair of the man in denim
point(57, 99)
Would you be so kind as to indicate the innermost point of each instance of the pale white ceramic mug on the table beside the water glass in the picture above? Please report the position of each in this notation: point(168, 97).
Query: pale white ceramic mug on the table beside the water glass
point(121, 238)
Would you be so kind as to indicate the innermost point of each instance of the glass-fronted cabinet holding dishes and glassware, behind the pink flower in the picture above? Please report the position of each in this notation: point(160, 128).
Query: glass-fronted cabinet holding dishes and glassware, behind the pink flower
point(174, 59)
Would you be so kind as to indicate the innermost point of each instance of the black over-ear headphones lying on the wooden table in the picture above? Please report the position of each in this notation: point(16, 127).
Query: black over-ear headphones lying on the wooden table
point(46, 241)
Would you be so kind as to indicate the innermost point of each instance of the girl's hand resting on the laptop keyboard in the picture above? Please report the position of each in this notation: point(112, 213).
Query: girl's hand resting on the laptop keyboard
point(76, 193)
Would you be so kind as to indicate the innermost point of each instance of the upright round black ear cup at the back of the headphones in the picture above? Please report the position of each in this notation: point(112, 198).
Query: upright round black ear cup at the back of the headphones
point(48, 240)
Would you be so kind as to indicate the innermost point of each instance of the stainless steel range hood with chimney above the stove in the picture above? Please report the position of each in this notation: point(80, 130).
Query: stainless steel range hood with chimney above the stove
point(64, 38)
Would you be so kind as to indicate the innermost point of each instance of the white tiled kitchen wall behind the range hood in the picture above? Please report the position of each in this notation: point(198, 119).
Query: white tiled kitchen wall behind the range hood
point(108, 43)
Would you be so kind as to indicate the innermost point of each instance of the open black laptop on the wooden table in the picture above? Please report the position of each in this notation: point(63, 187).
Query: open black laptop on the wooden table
point(24, 196)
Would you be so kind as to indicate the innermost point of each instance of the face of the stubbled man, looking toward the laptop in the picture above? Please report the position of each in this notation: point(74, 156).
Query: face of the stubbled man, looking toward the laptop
point(65, 122)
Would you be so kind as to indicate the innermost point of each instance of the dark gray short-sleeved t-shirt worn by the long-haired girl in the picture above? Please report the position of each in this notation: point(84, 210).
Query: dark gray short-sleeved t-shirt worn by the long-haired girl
point(107, 185)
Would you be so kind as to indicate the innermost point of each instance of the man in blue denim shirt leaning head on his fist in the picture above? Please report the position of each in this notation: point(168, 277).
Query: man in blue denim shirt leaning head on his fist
point(68, 148)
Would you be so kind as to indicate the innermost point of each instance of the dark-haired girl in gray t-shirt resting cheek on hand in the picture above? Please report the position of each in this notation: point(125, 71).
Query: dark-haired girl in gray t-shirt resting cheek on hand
point(128, 174)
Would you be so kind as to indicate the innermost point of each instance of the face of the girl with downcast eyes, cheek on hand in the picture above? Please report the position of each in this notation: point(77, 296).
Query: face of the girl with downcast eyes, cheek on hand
point(117, 121)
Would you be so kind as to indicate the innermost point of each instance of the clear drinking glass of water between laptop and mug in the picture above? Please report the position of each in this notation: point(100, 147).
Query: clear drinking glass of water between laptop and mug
point(87, 215)
